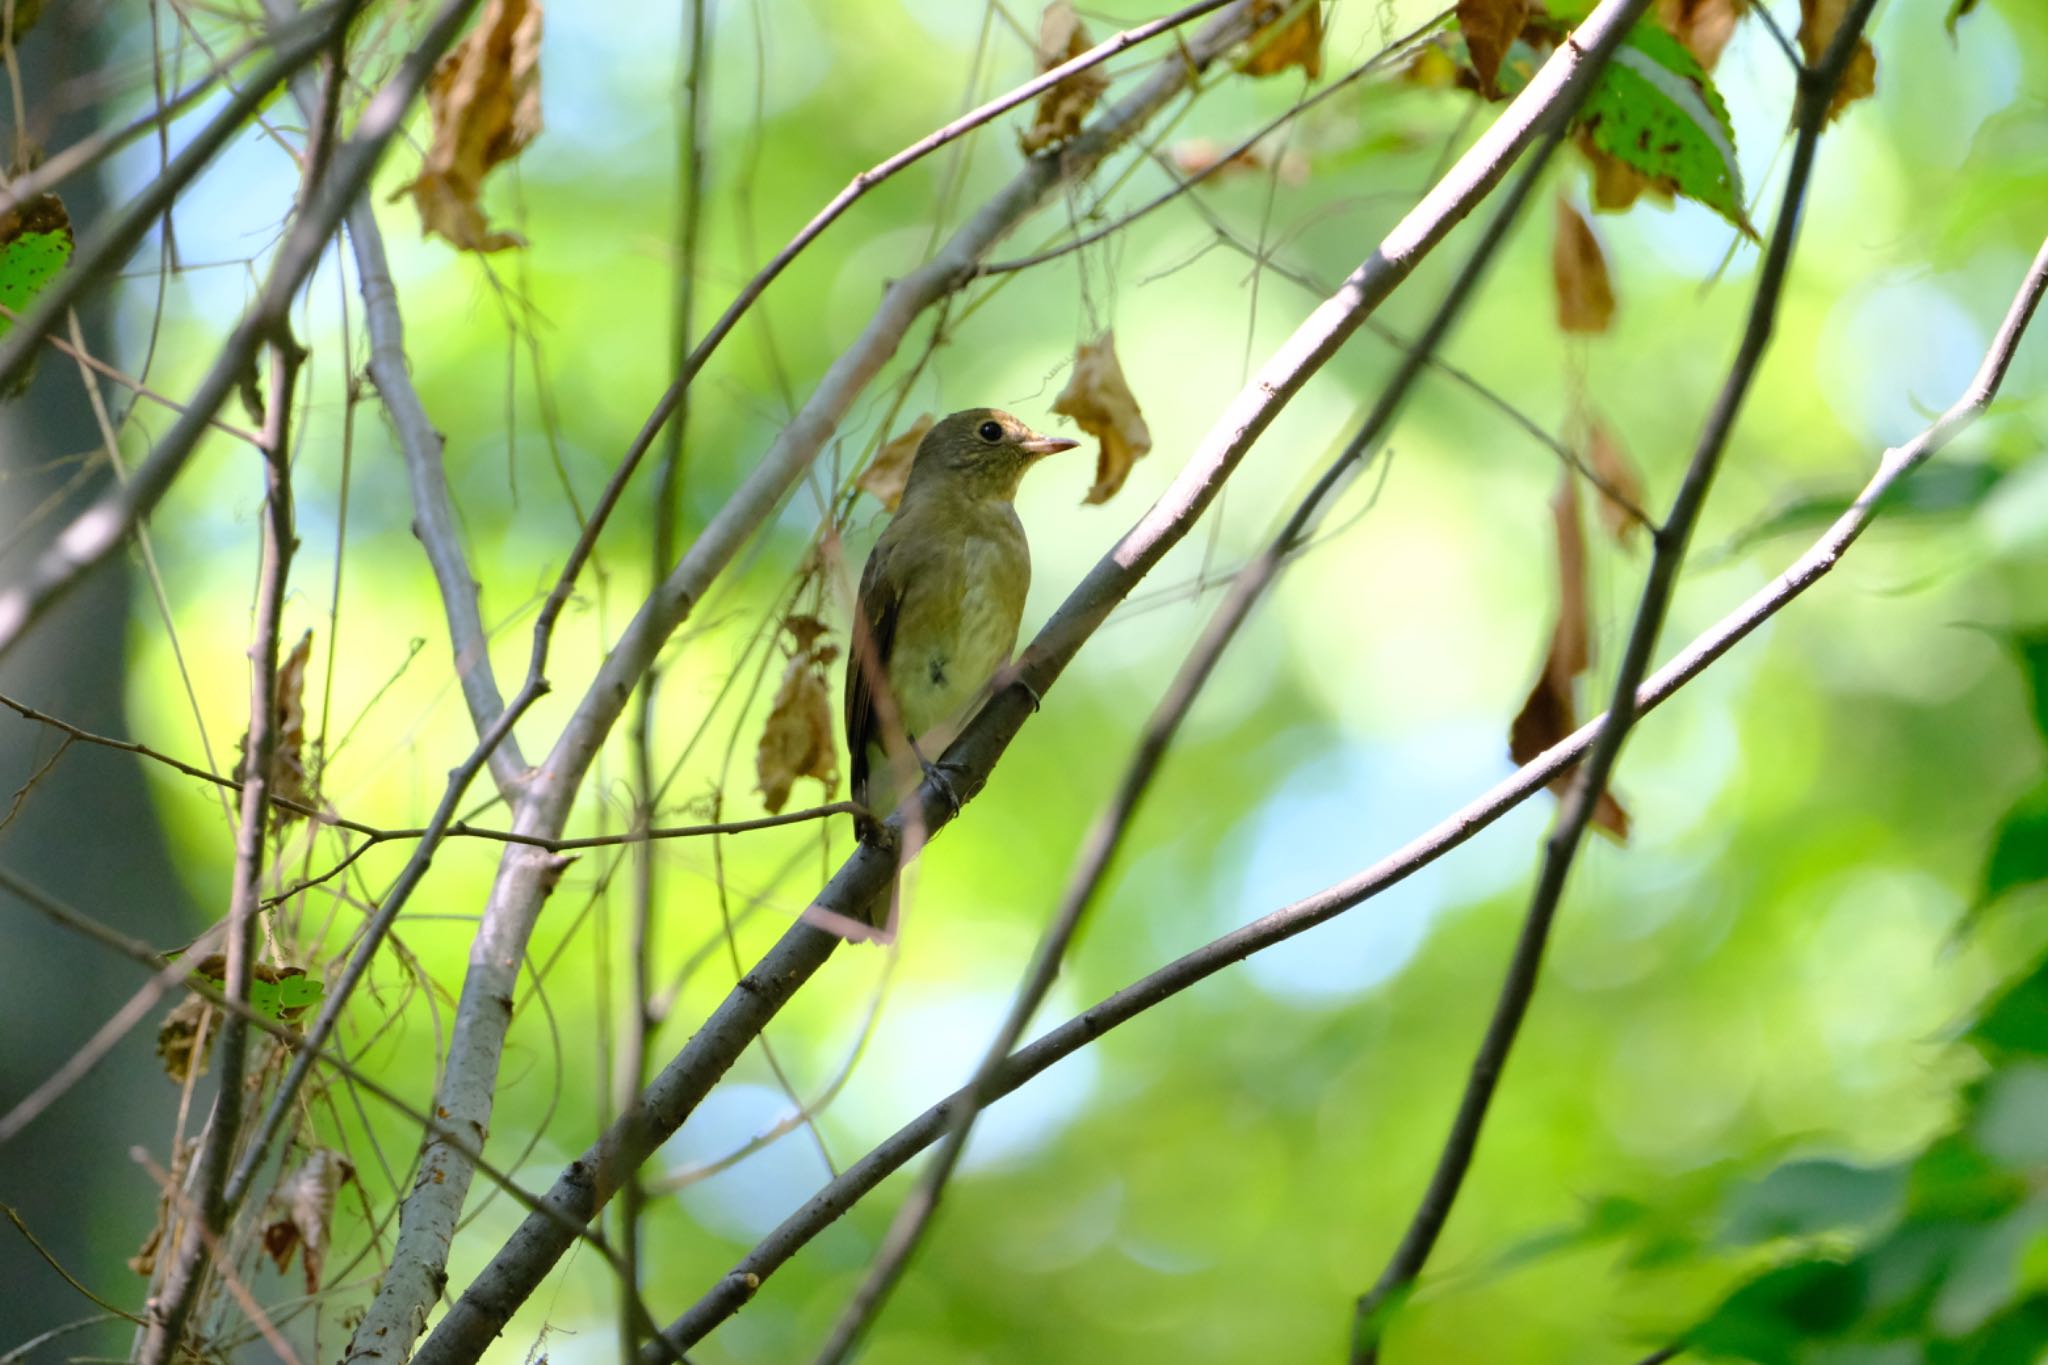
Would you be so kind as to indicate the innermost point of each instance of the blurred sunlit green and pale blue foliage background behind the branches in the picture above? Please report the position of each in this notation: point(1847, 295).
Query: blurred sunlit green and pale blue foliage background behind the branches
point(1770, 969)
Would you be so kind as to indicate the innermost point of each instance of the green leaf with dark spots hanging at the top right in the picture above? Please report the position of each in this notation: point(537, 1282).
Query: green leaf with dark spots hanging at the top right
point(1658, 112)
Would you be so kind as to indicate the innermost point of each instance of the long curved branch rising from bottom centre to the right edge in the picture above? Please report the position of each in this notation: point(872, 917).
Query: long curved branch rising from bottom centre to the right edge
point(894, 1153)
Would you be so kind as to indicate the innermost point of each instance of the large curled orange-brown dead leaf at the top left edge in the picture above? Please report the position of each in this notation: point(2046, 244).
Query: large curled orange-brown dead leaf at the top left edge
point(486, 105)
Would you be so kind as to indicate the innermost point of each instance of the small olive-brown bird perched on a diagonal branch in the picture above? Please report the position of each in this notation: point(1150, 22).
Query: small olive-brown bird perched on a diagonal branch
point(941, 599)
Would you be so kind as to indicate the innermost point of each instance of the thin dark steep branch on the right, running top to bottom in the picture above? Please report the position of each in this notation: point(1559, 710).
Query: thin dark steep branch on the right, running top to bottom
point(1816, 93)
